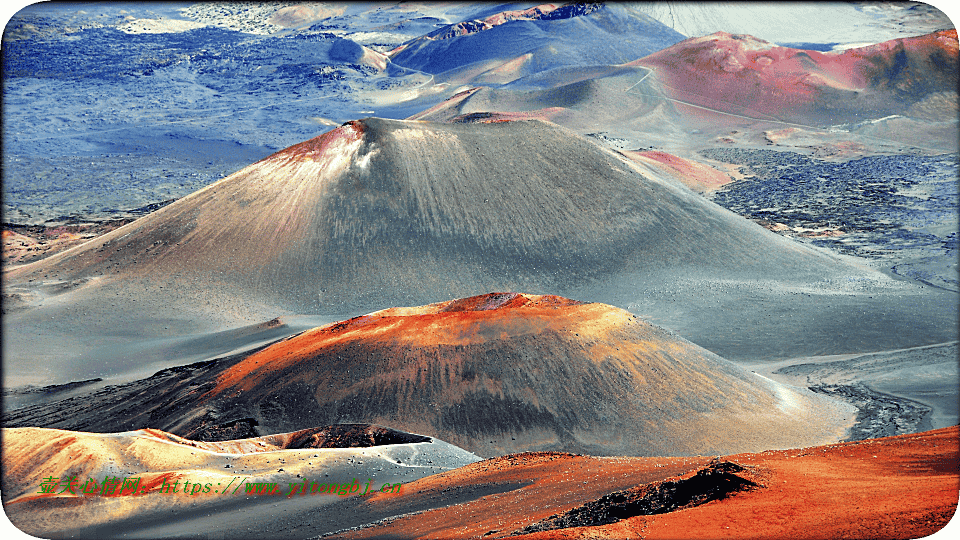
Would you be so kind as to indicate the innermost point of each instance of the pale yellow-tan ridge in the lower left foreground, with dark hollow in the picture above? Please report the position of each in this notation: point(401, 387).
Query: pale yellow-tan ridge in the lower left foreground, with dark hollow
point(210, 477)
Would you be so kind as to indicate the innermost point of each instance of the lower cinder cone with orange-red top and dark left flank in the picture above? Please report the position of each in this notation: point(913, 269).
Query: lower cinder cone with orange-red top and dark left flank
point(493, 374)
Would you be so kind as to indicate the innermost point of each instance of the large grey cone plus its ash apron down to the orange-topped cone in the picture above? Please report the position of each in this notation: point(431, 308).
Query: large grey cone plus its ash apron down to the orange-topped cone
point(383, 212)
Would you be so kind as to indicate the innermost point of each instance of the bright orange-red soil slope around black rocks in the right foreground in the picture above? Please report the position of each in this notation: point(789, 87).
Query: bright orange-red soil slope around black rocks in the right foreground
point(897, 487)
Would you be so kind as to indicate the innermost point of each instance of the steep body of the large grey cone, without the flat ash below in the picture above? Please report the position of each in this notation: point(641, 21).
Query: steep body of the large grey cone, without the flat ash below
point(384, 212)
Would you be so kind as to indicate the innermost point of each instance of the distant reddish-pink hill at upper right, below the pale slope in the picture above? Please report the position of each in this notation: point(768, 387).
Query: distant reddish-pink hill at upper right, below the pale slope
point(744, 75)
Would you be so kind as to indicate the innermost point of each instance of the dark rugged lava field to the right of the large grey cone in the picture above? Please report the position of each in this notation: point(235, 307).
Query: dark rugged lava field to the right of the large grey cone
point(882, 204)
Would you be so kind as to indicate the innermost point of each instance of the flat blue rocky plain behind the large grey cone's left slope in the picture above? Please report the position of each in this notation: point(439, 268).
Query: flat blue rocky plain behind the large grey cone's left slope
point(98, 121)
